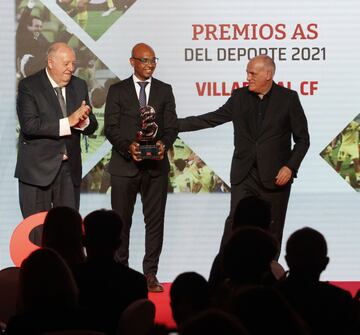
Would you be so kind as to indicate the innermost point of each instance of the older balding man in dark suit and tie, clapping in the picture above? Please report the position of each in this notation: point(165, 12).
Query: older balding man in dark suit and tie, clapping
point(53, 110)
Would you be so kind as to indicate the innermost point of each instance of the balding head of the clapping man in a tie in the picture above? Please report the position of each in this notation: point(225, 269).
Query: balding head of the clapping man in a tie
point(61, 63)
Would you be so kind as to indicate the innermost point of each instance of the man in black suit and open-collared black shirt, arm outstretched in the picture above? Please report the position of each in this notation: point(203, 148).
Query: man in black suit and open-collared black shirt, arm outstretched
point(265, 117)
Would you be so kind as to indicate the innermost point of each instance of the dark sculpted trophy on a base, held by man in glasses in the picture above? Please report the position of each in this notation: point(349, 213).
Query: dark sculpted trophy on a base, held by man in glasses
point(146, 135)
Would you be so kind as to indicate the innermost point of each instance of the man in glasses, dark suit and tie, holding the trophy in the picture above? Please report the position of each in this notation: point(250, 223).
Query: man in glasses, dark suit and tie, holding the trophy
point(130, 173)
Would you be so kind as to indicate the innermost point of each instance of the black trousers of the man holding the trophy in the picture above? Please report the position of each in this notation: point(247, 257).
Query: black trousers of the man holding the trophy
point(153, 192)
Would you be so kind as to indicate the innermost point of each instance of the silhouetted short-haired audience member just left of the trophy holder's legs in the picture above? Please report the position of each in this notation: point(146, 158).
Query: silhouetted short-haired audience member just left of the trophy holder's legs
point(106, 287)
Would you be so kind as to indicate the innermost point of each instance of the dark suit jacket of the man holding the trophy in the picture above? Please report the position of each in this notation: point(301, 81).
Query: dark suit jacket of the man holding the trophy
point(122, 121)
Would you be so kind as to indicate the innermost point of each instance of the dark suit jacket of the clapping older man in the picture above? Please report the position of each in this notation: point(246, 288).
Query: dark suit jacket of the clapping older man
point(40, 146)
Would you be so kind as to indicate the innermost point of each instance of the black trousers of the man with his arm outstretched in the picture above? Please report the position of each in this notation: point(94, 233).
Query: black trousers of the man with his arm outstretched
point(252, 186)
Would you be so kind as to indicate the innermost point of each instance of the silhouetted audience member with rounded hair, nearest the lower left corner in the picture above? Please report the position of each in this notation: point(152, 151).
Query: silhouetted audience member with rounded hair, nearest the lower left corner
point(48, 296)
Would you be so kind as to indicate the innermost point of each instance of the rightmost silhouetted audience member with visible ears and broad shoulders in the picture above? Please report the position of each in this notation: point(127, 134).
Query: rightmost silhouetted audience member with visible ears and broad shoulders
point(326, 308)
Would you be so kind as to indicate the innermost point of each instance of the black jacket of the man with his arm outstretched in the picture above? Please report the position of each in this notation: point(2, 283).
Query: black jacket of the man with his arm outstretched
point(271, 148)
